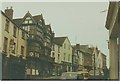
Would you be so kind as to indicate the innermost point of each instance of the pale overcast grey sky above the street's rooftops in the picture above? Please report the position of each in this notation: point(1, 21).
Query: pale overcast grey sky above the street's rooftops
point(82, 22)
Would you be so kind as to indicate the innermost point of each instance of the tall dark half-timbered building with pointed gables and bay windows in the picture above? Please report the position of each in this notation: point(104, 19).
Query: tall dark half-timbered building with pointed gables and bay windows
point(39, 62)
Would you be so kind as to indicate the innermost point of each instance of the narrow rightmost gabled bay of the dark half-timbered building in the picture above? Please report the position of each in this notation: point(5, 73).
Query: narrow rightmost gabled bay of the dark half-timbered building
point(48, 37)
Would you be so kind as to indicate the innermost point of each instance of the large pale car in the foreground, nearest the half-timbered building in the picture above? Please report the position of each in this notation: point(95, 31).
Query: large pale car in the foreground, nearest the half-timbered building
point(74, 75)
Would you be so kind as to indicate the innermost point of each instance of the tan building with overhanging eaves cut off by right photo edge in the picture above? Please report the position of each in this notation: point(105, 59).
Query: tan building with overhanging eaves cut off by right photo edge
point(113, 25)
